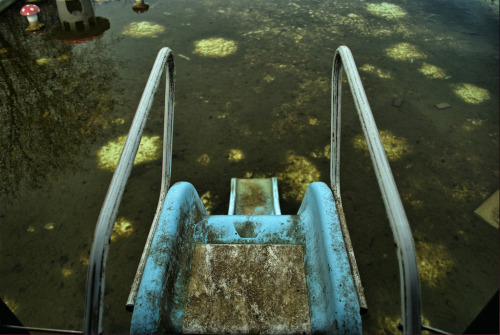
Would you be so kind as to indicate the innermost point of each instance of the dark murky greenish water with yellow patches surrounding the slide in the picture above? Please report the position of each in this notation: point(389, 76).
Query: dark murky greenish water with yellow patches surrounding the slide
point(260, 110)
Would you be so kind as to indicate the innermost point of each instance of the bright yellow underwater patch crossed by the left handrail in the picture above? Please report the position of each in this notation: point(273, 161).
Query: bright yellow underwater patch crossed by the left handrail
point(149, 150)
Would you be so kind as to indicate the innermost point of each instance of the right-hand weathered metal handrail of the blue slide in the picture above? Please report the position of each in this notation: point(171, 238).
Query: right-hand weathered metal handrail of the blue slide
point(407, 259)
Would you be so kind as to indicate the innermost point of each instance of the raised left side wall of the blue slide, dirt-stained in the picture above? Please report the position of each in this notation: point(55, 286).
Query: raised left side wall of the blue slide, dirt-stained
point(155, 305)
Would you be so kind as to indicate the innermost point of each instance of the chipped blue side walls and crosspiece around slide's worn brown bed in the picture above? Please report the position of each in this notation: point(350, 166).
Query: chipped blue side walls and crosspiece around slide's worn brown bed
point(333, 303)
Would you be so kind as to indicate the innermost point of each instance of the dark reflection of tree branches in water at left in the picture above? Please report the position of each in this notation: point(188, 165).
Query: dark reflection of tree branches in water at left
point(54, 102)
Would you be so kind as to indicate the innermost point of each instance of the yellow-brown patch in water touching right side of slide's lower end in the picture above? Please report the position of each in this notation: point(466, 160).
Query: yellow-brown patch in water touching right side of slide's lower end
point(297, 176)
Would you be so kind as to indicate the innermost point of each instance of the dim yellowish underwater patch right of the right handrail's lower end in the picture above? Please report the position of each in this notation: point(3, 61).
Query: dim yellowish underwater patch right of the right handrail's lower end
point(434, 262)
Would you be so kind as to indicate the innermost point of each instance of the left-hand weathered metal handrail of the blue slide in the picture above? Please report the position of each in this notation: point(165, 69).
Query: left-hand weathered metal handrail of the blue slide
point(99, 253)
